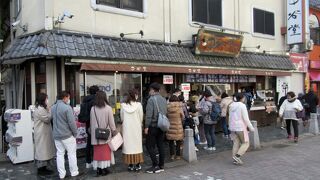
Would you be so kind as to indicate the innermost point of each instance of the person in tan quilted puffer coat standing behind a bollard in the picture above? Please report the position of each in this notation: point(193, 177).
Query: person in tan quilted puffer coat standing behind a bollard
point(175, 115)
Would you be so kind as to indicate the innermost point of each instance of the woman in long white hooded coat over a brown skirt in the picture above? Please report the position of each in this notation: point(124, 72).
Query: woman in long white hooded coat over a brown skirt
point(132, 117)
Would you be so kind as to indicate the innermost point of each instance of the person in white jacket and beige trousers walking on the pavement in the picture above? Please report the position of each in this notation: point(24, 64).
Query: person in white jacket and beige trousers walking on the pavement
point(238, 125)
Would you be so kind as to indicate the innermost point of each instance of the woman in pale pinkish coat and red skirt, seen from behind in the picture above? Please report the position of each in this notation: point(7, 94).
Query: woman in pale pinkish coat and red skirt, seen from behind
point(101, 116)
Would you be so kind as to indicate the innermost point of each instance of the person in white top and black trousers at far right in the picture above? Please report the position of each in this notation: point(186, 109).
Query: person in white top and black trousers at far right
point(288, 111)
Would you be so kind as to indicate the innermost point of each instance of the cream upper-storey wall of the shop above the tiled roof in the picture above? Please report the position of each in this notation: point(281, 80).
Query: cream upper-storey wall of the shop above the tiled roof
point(165, 20)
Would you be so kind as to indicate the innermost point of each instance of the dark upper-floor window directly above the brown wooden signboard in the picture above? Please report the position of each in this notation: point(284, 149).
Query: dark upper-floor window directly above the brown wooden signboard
point(207, 11)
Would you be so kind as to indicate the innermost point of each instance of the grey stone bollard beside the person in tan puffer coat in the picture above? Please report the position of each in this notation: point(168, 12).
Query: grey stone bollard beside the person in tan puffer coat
point(189, 151)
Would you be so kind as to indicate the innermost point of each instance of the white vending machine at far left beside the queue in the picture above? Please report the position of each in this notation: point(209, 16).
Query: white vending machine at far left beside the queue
point(19, 135)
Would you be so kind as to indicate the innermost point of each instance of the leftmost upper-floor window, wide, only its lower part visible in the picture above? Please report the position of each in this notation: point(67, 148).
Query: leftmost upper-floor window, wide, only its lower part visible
point(134, 5)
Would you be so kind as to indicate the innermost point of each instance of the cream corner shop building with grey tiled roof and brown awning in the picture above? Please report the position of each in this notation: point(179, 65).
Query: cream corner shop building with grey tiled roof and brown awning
point(49, 56)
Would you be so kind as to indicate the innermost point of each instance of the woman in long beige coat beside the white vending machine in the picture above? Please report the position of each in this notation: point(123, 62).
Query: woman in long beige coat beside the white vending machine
point(44, 144)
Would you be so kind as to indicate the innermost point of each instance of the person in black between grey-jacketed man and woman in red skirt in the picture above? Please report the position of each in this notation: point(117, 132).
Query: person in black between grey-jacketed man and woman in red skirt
point(84, 117)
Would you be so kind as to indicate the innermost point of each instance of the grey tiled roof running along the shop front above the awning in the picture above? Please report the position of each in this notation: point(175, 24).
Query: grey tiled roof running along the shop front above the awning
point(87, 46)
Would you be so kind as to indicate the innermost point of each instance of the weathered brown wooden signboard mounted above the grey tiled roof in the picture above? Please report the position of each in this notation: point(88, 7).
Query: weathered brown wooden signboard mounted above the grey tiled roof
point(215, 43)
